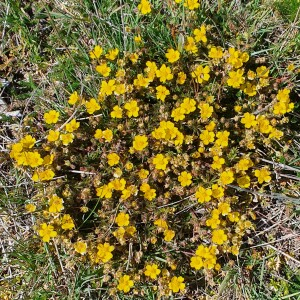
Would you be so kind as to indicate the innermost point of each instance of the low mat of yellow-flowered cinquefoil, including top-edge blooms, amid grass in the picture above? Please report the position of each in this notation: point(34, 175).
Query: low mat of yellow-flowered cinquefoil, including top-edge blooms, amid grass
point(152, 178)
